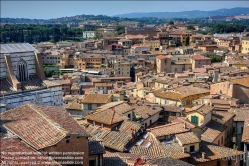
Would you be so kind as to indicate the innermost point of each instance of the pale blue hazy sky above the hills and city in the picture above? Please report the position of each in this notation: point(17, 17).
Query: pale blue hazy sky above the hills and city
point(55, 9)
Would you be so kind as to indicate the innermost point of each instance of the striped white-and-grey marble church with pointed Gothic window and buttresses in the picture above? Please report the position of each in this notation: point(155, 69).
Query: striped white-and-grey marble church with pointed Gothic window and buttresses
point(22, 78)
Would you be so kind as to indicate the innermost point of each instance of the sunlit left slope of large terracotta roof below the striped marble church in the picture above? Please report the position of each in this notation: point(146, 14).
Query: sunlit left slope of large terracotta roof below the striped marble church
point(29, 125)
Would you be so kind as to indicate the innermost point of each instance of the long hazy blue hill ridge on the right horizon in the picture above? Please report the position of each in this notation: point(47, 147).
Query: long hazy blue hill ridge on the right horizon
point(189, 14)
